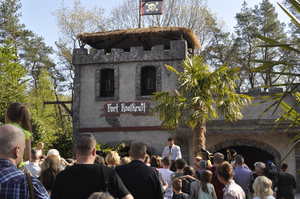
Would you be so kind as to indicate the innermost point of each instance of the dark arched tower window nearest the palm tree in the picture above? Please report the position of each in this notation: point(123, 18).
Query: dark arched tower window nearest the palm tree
point(148, 80)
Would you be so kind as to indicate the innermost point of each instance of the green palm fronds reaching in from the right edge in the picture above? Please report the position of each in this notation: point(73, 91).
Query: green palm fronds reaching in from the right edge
point(290, 112)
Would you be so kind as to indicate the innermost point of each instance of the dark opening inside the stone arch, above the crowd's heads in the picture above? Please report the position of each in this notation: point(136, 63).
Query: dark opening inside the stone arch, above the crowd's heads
point(251, 154)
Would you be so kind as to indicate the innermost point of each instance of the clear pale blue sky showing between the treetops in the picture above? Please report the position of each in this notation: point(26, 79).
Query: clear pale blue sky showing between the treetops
point(38, 16)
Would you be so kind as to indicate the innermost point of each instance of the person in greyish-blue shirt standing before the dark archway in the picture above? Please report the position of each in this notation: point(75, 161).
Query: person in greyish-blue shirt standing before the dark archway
point(242, 174)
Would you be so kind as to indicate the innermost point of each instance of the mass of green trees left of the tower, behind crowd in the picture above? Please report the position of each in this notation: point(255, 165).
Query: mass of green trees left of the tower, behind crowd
point(29, 75)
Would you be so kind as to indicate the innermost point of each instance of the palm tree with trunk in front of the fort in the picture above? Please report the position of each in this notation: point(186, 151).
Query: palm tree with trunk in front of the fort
point(202, 95)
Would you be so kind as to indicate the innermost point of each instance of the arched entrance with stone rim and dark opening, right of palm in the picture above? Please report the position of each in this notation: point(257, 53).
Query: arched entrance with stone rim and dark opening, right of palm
point(252, 150)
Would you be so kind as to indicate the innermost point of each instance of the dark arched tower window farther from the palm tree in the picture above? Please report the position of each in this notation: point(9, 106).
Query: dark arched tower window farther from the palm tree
point(107, 82)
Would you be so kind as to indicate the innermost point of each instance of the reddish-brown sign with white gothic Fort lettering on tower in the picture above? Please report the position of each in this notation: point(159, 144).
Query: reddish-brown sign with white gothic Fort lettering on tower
point(127, 107)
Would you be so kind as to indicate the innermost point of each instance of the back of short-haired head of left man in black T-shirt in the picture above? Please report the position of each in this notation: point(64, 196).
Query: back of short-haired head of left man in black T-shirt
point(85, 144)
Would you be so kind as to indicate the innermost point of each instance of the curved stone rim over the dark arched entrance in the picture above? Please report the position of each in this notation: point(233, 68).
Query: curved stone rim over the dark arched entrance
point(248, 143)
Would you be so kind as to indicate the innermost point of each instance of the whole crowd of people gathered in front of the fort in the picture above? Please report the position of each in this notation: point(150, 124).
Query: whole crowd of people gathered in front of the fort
point(138, 175)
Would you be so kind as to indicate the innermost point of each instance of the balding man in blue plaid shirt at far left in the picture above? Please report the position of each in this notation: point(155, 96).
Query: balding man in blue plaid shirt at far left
point(14, 184)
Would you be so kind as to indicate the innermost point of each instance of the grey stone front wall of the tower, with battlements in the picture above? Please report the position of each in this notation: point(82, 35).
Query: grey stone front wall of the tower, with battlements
point(89, 113)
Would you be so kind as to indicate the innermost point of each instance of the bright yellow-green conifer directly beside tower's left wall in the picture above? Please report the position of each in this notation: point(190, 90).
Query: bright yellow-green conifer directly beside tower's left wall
point(51, 125)
